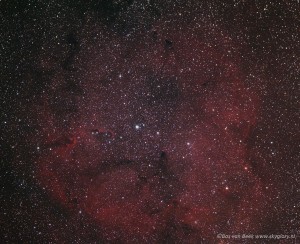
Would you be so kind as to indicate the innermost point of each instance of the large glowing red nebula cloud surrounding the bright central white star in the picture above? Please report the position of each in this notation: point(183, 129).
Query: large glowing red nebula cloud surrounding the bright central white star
point(156, 148)
